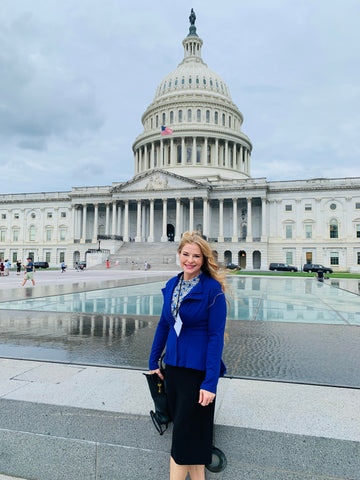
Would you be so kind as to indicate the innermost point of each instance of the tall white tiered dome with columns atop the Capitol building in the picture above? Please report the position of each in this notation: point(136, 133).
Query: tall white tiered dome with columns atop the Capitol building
point(192, 127)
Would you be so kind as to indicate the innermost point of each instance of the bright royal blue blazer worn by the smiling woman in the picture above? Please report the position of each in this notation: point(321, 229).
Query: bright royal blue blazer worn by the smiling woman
point(201, 340)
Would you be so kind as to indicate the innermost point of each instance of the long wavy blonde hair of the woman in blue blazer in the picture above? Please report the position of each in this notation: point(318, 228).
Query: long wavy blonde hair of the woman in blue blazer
point(209, 267)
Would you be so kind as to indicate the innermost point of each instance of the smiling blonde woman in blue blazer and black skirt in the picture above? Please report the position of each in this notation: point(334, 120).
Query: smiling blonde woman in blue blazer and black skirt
point(192, 326)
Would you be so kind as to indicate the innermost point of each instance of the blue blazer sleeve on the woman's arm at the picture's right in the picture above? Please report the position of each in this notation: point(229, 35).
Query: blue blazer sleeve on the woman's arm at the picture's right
point(216, 331)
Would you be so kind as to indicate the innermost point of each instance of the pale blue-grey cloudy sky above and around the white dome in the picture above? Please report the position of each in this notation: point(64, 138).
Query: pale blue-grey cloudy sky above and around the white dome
point(76, 76)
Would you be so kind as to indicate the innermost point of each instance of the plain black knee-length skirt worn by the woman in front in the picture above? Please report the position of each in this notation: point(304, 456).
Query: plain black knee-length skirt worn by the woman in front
point(193, 423)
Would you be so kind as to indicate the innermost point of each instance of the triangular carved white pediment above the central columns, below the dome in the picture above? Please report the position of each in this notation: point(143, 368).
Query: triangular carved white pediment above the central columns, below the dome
point(158, 180)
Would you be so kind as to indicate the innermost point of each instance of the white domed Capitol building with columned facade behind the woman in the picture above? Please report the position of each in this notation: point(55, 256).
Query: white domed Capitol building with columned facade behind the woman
point(192, 171)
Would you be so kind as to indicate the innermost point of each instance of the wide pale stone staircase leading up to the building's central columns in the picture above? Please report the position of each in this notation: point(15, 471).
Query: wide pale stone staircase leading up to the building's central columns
point(133, 255)
